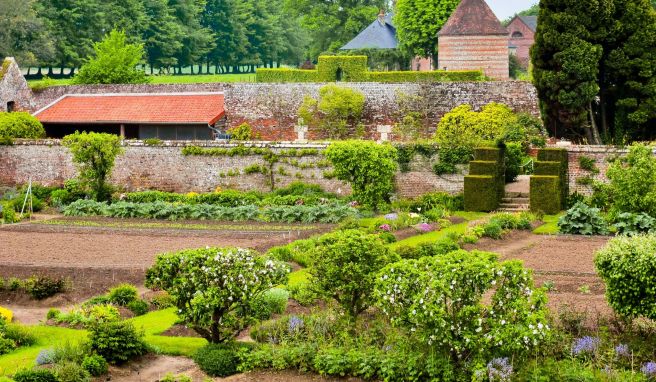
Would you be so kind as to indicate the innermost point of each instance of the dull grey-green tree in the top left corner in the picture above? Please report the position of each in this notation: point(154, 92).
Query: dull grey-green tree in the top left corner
point(22, 34)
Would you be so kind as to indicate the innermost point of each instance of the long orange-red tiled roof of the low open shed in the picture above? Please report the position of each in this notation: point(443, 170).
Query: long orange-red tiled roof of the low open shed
point(181, 108)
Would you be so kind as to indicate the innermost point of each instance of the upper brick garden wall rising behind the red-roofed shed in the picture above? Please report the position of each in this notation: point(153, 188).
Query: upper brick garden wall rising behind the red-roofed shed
point(272, 108)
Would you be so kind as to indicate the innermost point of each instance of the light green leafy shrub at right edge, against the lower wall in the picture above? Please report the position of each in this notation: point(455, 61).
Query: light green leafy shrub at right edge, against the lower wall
point(632, 185)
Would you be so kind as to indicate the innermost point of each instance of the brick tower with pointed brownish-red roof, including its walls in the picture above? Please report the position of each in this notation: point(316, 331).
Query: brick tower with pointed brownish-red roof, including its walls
point(474, 39)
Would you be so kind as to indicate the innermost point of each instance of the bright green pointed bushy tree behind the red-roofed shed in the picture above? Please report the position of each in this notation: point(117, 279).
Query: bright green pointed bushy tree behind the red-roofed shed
point(115, 62)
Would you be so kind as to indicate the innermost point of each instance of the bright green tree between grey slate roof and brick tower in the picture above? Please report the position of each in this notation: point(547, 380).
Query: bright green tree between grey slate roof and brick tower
point(418, 22)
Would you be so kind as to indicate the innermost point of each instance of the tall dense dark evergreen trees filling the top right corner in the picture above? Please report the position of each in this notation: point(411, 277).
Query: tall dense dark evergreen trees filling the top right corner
point(594, 68)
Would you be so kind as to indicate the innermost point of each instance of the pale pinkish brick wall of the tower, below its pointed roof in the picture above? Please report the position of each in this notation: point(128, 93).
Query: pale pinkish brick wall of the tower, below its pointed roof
point(489, 53)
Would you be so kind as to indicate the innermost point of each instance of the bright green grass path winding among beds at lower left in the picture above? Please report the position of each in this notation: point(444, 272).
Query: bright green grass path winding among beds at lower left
point(153, 324)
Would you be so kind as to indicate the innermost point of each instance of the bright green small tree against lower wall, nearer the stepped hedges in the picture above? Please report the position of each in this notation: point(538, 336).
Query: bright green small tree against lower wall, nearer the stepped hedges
point(368, 167)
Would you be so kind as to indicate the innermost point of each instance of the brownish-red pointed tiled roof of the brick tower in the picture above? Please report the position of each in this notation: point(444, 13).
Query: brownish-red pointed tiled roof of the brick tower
point(473, 18)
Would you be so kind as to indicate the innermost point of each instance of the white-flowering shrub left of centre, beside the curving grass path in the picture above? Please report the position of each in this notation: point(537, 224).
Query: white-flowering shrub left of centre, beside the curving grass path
point(213, 288)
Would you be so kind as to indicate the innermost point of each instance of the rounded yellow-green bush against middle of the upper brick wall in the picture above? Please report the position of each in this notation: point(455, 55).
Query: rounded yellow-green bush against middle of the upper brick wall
point(337, 112)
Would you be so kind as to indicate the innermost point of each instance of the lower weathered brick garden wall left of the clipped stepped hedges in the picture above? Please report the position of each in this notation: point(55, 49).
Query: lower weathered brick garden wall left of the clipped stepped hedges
point(165, 168)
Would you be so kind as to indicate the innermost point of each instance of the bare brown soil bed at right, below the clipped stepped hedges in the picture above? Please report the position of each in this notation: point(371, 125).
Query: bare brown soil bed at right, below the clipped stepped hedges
point(566, 262)
